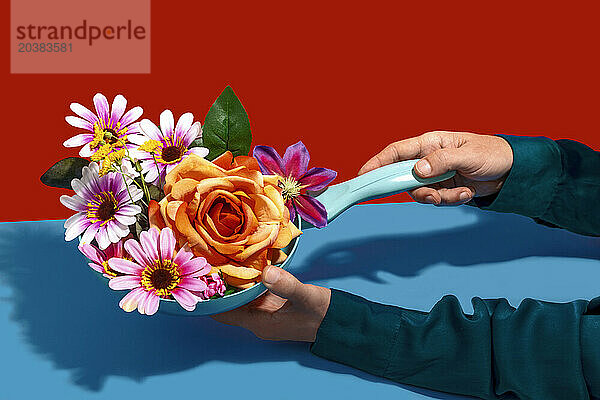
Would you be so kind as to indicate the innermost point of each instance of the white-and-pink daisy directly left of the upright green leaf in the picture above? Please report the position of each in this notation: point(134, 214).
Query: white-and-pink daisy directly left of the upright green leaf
point(168, 145)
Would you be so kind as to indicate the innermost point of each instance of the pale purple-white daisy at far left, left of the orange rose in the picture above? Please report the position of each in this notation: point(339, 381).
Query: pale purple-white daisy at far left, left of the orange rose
point(104, 208)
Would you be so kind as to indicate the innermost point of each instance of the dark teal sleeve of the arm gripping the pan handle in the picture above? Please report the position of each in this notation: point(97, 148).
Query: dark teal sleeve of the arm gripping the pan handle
point(557, 183)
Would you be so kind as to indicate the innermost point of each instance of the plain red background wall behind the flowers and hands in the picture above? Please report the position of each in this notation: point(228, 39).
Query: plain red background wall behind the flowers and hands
point(344, 78)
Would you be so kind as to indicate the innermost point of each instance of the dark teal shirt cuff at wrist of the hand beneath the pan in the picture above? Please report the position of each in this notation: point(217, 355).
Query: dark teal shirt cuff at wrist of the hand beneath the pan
point(357, 332)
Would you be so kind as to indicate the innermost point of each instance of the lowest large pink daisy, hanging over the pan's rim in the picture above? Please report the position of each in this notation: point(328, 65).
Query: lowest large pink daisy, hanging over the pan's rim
point(158, 271)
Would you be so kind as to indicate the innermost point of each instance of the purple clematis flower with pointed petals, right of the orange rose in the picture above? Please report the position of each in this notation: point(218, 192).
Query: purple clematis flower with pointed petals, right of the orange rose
point(296, 178)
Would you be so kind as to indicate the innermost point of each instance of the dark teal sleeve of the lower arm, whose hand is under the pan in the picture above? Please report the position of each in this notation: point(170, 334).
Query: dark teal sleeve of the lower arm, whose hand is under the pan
point(540, 350)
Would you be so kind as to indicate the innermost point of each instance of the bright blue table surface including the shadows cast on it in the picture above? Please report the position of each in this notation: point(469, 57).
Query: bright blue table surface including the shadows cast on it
point(63, 335)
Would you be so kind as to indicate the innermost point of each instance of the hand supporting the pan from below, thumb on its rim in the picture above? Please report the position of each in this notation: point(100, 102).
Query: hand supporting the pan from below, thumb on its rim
point(290, 310)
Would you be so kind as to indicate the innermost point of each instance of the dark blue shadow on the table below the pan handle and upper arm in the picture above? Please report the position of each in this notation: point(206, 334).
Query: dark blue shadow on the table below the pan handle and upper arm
point(493, 238)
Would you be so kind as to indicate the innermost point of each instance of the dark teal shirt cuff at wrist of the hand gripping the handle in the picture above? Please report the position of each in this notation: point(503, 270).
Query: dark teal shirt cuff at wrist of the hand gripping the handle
point(531, 183)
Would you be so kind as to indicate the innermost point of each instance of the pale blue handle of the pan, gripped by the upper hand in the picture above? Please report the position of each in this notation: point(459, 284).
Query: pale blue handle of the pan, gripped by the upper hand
point(382, 182)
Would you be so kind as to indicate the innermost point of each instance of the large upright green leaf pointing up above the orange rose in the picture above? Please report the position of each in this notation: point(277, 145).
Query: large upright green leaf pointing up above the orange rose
point(227, 126)
